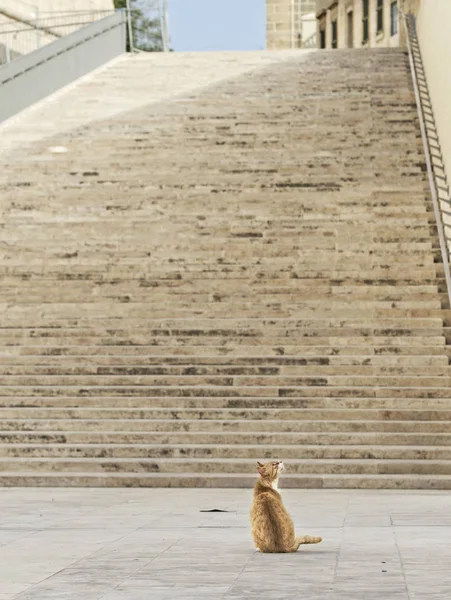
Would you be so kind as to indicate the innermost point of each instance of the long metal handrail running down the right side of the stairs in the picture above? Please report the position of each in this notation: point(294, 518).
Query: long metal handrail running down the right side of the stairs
point(431, 143)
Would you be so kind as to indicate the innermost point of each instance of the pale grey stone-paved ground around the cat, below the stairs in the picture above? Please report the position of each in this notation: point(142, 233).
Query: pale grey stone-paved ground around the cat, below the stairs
point(156, 544)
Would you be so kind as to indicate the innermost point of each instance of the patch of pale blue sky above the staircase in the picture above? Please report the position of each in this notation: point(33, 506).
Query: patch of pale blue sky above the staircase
point(217, 24)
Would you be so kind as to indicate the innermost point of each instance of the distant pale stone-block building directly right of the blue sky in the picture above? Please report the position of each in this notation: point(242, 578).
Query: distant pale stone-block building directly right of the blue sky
point(290, 24)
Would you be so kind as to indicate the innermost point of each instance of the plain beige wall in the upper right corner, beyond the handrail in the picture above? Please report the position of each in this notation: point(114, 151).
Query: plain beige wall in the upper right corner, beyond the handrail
point(434, 27)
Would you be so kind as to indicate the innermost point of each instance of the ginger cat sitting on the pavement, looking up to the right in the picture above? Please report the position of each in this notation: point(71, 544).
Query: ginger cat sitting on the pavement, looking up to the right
point(272, 526)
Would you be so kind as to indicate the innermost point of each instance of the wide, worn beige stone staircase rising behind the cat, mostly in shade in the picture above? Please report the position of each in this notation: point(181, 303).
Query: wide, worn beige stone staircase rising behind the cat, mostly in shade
point(248, 270)
